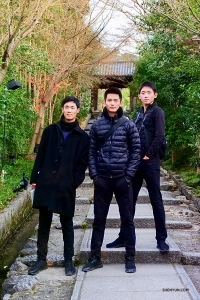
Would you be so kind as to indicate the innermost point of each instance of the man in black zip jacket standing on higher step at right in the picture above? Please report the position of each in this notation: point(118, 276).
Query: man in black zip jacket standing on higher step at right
point(150, 121)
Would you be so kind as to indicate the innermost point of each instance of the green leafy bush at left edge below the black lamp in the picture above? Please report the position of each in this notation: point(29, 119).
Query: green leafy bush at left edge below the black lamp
point(17, 115)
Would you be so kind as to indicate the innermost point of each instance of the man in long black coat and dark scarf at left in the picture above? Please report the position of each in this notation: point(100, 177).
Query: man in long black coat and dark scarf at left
point(58, 170)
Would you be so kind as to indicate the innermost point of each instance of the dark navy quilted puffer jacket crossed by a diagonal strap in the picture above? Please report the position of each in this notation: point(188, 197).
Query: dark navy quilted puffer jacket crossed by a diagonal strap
point(120, 155)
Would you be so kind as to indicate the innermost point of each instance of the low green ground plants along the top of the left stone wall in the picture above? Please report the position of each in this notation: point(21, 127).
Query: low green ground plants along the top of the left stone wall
point(12, 178)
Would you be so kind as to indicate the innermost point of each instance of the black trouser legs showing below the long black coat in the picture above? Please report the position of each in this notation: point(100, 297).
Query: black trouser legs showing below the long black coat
point(45, 219)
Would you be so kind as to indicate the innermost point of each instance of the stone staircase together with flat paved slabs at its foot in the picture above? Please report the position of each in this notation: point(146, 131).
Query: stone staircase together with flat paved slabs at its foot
point(156, 272)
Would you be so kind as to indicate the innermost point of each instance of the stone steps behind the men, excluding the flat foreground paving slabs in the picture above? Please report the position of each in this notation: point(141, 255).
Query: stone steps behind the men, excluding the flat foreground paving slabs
point(146, 251)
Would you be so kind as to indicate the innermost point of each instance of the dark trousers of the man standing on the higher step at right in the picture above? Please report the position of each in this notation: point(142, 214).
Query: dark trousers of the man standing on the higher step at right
point(149, 170)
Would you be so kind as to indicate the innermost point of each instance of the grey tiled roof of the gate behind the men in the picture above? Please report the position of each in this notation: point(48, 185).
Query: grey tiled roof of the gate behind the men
point(115, 68)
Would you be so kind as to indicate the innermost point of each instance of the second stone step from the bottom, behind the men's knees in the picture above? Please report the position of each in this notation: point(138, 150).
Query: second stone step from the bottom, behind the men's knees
point(143, 218)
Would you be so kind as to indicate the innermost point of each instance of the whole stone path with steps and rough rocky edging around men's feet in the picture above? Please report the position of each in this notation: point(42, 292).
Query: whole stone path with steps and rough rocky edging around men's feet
point(175, 275)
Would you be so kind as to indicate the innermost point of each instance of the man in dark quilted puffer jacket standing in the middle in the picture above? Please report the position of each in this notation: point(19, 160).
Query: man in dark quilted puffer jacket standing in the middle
point(112, 165)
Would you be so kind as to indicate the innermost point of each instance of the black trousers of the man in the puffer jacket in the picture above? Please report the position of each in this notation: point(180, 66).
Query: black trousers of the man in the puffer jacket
point(103, 193)
